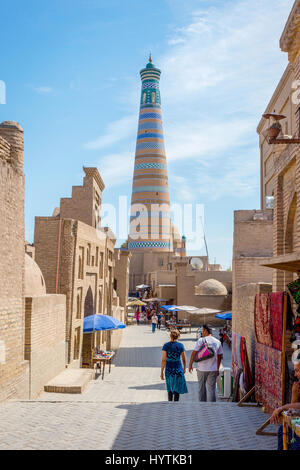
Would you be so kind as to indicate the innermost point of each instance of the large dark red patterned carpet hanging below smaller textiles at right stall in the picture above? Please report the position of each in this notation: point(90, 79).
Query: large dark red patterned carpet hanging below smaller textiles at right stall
point(268, 379)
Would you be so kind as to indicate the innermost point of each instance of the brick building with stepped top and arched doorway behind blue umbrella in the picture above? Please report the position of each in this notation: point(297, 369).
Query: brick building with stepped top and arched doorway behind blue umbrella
point(76, 257)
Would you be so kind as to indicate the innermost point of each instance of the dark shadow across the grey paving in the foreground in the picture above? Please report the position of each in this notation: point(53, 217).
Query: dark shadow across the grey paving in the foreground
point(191, 426)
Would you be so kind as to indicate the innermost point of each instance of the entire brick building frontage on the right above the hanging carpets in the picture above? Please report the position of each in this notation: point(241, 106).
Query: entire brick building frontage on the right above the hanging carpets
point(272, 240)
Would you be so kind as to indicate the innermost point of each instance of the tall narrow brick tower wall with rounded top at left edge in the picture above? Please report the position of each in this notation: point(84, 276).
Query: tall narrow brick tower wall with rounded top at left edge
point(13, 367)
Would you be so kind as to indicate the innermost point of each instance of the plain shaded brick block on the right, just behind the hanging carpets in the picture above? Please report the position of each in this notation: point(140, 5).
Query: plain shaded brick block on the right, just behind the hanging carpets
point(252, 245)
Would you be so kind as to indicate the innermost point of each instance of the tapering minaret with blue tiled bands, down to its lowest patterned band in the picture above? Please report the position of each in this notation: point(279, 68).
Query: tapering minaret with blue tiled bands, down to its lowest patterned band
point(150, 223)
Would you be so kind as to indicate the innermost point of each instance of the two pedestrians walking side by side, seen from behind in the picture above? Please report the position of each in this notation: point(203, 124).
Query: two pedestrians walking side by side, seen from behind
point(206, 358)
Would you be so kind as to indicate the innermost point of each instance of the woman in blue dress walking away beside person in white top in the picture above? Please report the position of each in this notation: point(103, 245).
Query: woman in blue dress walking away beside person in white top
point(173, 354)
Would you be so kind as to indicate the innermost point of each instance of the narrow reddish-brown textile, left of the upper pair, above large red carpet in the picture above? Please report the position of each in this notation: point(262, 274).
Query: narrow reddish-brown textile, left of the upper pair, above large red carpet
point(262, 319)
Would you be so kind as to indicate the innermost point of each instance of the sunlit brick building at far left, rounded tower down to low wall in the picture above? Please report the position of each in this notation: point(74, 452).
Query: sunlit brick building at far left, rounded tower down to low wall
point(32, 324)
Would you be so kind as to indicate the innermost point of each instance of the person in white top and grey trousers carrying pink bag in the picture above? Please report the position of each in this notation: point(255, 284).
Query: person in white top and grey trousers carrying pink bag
point(207, 369)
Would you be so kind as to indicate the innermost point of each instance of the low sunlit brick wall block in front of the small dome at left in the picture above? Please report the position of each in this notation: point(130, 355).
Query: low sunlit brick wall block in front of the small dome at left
point(45, 342)
